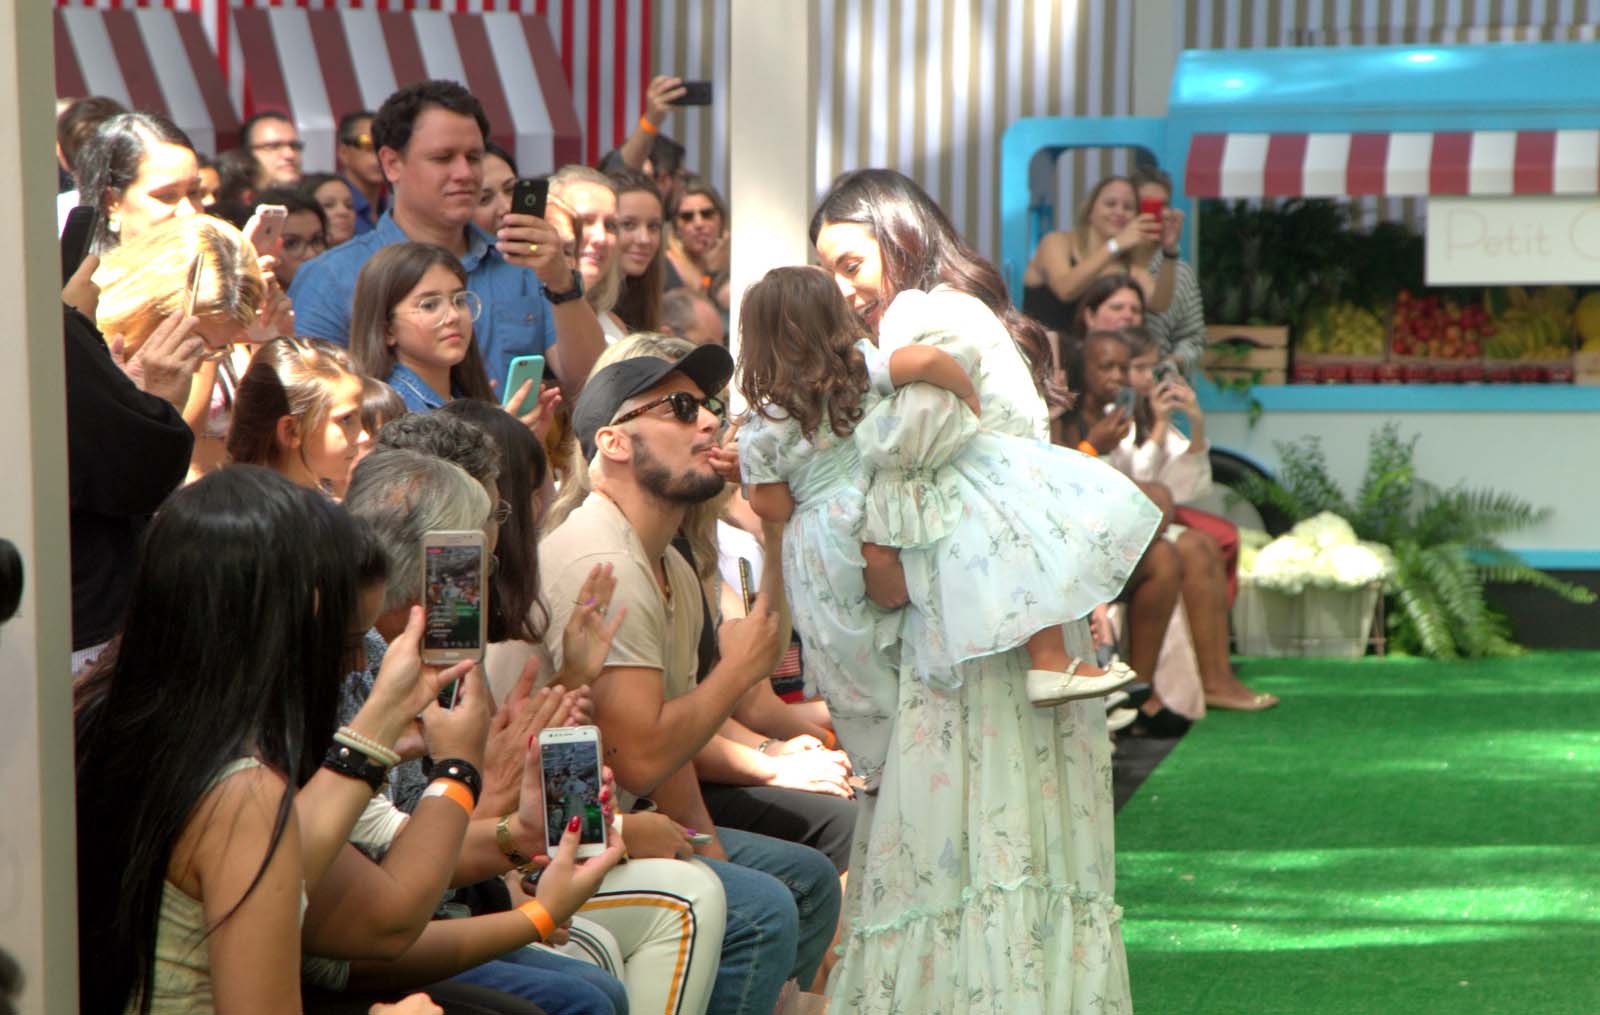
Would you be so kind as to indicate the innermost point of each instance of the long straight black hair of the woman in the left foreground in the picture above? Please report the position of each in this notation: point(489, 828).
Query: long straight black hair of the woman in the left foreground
point(233, 646)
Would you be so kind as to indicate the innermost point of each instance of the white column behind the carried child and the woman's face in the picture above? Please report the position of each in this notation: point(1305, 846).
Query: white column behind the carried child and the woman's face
point(770, 89)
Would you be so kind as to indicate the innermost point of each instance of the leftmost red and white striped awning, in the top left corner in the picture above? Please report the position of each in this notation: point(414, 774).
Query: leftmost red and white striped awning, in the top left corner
point(153, 60)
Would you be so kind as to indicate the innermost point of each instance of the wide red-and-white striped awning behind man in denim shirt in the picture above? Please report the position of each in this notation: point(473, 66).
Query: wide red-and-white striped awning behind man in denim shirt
point(319, 65)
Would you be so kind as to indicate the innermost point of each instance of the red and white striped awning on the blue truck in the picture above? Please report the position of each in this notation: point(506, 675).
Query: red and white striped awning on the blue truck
point(1401, 164)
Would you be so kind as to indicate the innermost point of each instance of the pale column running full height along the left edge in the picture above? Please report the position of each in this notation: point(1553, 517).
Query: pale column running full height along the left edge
point(38, 853)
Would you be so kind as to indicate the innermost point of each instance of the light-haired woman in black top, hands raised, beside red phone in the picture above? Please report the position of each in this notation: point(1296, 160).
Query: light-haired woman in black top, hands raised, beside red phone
point(1108, 238)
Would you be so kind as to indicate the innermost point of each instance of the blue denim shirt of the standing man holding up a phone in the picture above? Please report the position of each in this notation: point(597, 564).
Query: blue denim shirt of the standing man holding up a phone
point(516, 319)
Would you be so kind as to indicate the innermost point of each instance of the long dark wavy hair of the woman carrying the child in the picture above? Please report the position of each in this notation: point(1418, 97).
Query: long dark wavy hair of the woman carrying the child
point(922, 251)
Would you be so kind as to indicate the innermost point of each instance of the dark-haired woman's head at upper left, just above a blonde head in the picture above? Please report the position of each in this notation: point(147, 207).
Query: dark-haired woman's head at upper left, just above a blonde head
point(138, 171)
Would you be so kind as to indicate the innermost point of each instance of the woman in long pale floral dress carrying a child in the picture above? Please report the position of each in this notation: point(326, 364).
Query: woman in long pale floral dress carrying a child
point(983, 869)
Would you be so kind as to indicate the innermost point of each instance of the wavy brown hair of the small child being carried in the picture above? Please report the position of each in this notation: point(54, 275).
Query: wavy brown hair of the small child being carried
point(799, 351)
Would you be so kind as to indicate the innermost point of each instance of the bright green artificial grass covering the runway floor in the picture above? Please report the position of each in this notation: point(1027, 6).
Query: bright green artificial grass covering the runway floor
point(1398, 836)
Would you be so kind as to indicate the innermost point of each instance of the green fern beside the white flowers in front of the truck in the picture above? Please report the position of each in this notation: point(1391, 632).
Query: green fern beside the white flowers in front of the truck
point(1446, 542)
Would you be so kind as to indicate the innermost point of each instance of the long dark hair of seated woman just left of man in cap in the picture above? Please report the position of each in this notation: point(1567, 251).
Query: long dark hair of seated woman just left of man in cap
point(516, 614)
